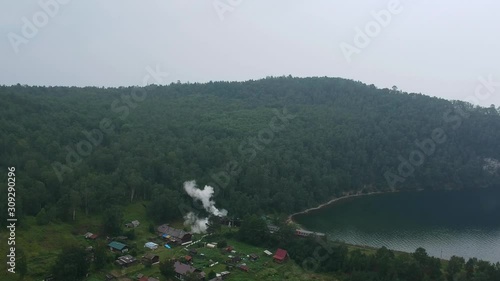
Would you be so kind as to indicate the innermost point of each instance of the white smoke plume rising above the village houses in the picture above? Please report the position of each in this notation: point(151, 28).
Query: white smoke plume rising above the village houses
point(199, 225)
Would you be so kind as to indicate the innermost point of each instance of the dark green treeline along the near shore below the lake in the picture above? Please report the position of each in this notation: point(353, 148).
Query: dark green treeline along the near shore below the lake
point(320, 255)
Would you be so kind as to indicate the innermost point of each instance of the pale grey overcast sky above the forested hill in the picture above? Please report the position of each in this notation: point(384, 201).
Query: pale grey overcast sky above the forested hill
point(438, 48)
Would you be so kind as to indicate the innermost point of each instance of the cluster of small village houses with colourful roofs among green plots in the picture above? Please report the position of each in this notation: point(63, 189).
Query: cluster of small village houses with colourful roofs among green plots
point(193, 256)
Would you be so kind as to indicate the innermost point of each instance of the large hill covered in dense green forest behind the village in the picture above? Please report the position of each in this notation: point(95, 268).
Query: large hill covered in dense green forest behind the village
point(276, 144)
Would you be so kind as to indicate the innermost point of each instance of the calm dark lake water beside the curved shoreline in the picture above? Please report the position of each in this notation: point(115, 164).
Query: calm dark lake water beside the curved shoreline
point(445, 223)
